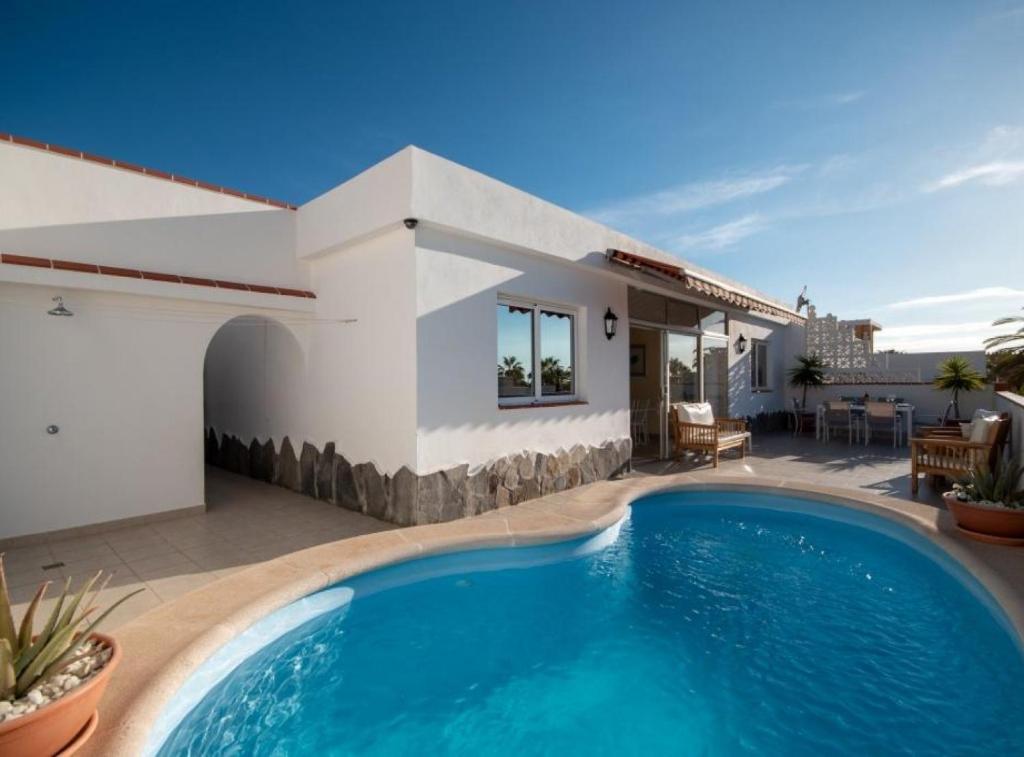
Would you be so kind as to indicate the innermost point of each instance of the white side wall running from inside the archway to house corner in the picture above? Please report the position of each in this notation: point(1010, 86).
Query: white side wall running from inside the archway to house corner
point(315, 380)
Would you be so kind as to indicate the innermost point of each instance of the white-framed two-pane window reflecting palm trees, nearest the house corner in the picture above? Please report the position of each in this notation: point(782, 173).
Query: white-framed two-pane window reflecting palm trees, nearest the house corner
point(536, 352)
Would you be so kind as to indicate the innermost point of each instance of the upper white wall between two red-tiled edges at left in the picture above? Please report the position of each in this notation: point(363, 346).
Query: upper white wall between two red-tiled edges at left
point(59, 207)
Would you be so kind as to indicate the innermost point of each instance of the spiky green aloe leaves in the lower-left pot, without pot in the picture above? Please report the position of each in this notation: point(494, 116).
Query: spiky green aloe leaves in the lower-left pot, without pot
point(29, 659)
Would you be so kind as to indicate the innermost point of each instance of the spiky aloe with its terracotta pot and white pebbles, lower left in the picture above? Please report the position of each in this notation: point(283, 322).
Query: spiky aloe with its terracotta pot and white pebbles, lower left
point(52, 680)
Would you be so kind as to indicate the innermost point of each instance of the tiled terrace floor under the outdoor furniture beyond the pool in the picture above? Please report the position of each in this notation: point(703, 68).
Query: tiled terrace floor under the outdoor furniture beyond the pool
point(878, 469)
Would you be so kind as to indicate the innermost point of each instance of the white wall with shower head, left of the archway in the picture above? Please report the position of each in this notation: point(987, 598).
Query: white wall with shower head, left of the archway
point(123, 380)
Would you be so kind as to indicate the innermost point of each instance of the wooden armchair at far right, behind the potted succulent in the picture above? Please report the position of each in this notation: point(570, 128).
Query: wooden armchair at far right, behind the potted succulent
point(944, 451)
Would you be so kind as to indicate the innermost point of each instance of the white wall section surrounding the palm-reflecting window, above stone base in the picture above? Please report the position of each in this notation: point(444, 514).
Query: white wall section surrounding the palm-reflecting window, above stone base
point(459, 280)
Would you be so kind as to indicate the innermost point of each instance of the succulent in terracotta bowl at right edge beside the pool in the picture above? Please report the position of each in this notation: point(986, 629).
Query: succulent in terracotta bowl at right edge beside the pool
point(990, 507)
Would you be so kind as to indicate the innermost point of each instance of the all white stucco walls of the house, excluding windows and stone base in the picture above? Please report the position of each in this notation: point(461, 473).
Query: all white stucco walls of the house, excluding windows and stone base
point(410, 383)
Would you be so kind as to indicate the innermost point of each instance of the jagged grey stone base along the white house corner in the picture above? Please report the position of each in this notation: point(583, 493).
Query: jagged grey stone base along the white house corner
point(407, 498)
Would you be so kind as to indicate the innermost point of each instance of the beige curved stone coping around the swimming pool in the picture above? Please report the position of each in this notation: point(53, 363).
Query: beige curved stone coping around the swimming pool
point(163, 647)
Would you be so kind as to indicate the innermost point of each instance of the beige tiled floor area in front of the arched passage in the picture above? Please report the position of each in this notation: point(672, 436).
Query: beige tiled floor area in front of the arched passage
point(247, 522)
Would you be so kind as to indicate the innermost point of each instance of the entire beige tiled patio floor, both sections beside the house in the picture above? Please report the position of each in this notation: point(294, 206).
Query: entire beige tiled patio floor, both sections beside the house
point(249, 522)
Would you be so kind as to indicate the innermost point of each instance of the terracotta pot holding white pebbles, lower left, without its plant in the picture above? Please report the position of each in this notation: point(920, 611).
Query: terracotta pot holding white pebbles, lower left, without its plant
point(57, 728)
